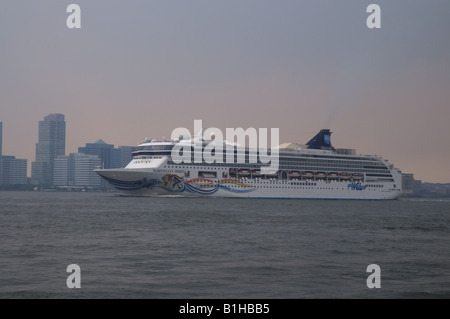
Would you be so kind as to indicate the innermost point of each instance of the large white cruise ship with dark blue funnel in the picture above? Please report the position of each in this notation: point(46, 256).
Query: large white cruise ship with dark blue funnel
point(315, 170)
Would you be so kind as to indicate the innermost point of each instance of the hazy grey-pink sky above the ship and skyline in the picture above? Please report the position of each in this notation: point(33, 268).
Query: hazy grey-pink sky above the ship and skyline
point(140, 69)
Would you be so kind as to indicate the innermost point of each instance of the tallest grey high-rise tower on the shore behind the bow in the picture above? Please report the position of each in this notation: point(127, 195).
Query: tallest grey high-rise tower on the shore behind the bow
point(51, 143)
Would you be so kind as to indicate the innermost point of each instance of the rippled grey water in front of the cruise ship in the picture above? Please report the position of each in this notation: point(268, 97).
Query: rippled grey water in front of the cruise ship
point(221, 248)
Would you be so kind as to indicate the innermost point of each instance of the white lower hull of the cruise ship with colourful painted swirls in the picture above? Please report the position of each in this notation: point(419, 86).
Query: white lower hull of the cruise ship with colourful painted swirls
point(157, 182)
